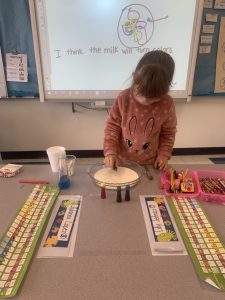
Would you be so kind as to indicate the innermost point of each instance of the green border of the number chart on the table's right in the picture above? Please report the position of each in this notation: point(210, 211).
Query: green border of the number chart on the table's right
point(217, 278)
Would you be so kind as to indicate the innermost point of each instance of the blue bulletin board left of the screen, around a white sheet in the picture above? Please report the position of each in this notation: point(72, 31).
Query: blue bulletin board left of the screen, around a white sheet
point(16, 37)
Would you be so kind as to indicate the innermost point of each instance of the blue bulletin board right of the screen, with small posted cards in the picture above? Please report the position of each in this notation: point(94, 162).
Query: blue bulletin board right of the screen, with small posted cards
point(206, 64)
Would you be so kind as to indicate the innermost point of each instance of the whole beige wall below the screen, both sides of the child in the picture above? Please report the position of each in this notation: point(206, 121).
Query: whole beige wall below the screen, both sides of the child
point(27, 125)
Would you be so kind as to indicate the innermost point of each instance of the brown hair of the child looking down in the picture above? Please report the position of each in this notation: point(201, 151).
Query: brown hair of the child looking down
point(153, 74)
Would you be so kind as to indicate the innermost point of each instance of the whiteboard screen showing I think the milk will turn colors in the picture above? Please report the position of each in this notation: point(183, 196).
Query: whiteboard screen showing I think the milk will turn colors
point(87, 50)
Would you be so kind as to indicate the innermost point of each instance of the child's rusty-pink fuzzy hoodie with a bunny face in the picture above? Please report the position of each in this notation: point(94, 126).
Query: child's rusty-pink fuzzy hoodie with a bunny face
point(140, 132)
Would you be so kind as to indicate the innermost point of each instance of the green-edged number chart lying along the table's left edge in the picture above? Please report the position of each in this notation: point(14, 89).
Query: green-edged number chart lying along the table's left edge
point(19, 241)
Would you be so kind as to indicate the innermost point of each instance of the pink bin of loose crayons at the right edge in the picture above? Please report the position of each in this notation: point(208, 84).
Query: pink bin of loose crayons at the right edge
point(211, 185)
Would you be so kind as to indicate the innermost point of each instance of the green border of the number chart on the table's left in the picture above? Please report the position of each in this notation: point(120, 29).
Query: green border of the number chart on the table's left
point(22, 272)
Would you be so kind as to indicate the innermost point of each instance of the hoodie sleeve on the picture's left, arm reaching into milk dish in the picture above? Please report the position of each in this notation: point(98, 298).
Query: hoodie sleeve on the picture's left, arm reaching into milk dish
point(112, 136)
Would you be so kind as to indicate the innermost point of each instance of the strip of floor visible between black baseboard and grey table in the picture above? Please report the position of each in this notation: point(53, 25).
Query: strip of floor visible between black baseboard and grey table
point(178, 159)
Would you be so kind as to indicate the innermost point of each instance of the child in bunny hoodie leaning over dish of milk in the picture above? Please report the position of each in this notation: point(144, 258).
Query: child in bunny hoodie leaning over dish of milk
point(141, 126)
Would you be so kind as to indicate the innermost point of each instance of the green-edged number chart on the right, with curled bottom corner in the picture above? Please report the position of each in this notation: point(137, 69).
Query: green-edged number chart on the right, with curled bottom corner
point(202, 241)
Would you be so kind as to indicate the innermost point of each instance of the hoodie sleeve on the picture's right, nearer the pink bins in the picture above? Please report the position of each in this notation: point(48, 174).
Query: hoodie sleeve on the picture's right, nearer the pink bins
point(167, 135)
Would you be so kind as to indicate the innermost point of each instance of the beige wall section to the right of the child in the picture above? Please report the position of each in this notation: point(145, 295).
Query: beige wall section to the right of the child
point(201, 123)
